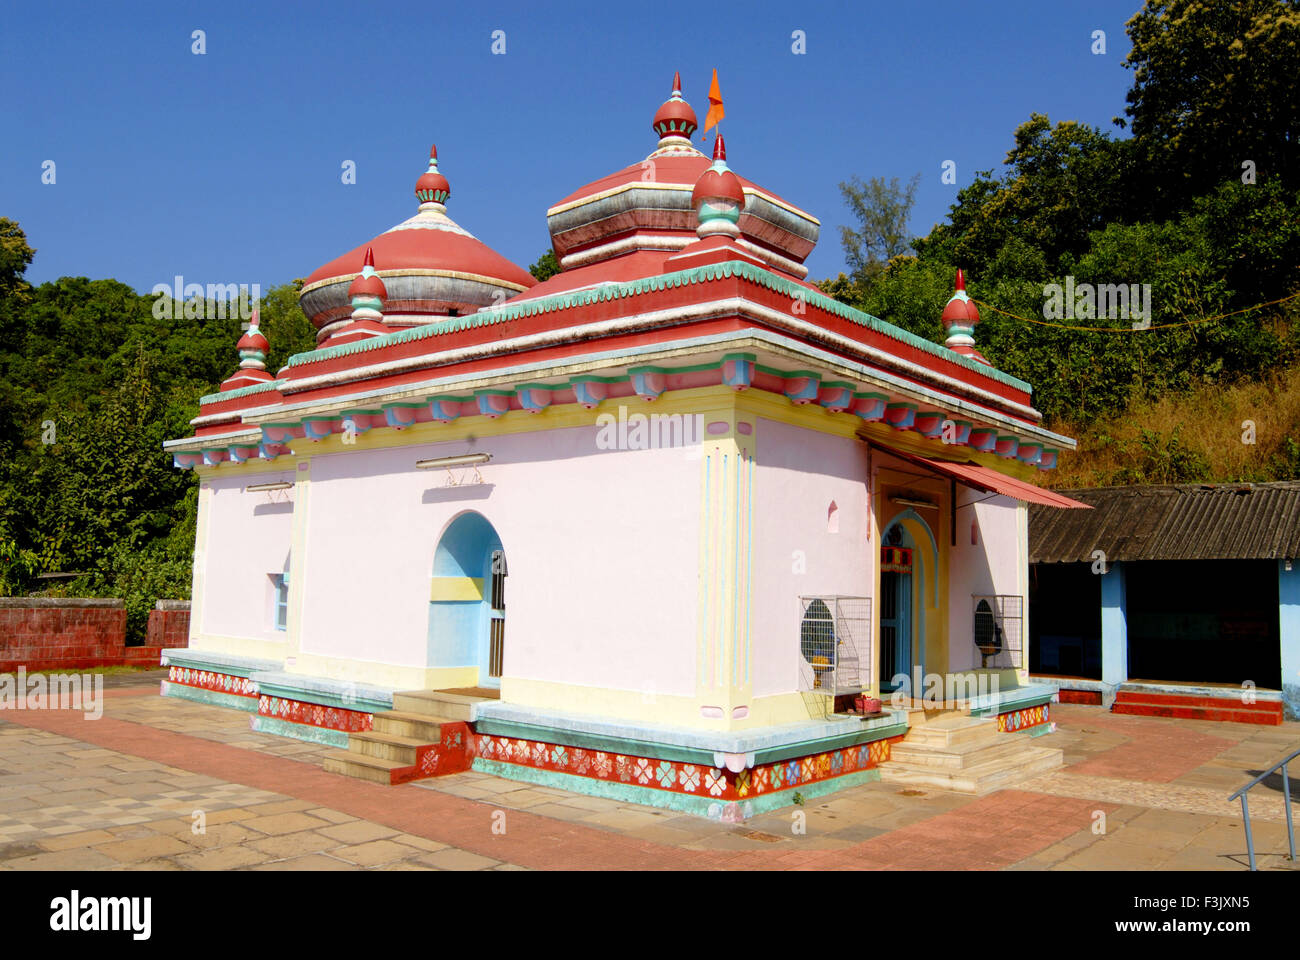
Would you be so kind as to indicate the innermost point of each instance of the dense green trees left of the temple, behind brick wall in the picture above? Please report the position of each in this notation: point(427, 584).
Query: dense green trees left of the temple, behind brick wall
point(92, 384)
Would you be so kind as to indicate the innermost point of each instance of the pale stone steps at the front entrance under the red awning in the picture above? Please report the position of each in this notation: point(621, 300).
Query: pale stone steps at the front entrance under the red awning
point(967, 755)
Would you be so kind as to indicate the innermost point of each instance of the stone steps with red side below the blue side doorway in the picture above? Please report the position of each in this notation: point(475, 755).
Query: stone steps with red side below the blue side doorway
point(427, 734)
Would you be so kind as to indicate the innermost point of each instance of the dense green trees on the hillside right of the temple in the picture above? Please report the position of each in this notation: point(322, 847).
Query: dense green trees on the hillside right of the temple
point(1165, 209)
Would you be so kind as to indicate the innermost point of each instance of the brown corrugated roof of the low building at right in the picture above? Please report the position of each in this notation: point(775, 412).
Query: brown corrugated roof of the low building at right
point(1176, 522)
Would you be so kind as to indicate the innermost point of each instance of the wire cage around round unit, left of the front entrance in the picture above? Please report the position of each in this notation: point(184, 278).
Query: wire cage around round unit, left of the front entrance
point(835, 650)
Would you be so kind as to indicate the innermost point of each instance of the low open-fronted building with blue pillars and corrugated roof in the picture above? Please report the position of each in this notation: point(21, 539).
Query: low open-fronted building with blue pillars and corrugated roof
point(1177, 600)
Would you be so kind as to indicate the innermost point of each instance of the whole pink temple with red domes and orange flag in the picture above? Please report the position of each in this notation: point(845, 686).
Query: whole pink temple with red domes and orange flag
point(658, 529)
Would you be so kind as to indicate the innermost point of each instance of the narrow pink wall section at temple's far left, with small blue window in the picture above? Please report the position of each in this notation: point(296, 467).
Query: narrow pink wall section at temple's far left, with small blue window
point(249, 539)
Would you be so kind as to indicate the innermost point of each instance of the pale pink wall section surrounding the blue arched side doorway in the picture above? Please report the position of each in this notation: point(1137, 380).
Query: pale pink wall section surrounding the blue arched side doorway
point(601, 548)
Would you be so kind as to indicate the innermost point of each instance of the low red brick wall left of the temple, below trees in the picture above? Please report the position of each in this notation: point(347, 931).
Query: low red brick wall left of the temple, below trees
point(73, 634)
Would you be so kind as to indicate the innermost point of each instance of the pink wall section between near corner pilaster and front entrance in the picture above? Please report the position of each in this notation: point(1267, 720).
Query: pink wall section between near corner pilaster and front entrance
point(800, 474)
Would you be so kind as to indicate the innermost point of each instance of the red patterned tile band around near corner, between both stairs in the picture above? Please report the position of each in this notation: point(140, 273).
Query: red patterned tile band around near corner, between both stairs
point(678, 777)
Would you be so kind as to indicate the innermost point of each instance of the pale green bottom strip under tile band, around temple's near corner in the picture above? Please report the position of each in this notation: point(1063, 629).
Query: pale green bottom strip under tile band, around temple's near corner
point(670, 801)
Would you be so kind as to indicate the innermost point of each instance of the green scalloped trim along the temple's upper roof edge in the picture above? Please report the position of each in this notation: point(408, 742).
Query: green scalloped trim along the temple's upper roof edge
point(644, 286)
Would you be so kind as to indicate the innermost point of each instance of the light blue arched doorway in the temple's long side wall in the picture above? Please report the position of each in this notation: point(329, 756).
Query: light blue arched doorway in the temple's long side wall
point(467, 608)
